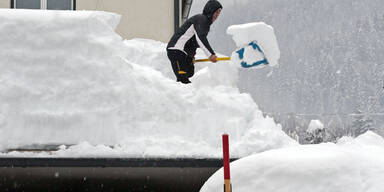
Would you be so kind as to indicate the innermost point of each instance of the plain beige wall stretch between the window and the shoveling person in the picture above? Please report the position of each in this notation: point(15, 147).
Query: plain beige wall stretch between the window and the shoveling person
point(151, 19)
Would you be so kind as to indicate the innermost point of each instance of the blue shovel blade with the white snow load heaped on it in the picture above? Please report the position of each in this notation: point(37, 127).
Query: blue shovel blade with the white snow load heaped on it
point(257, 45)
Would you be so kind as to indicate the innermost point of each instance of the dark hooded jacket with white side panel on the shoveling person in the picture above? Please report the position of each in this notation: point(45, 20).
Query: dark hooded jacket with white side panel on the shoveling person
point(193, 33)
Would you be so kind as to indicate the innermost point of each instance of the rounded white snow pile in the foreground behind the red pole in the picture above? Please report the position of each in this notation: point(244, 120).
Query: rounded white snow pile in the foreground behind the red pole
point(350, 165)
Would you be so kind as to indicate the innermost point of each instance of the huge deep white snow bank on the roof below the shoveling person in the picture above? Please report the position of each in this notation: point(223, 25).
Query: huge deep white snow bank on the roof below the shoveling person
point(67, 78)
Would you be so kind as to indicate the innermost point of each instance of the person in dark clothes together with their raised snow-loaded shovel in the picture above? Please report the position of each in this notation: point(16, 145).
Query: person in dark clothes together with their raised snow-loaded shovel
point(256, 43)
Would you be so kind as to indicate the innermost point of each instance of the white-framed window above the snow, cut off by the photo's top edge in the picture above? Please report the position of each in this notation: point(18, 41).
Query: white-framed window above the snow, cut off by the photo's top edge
point(44, 4)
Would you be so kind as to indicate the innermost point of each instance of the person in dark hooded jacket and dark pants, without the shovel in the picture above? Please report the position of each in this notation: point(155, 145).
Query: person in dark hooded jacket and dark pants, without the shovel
point(192, 34)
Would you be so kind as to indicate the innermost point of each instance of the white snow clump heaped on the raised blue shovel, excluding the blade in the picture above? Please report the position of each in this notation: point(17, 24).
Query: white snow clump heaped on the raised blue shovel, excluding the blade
point(263, 35)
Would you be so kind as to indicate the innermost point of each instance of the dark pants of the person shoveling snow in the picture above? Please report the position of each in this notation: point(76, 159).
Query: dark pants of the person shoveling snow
point(182, 65)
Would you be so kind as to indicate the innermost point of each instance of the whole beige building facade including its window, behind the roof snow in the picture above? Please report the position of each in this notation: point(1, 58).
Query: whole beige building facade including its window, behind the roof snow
point(150, 19)
